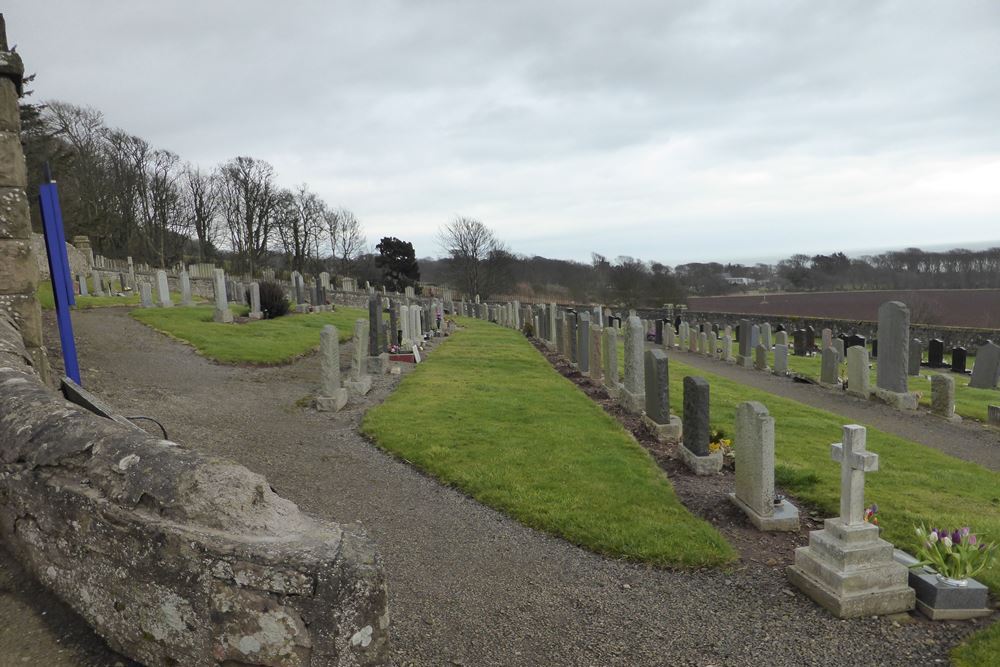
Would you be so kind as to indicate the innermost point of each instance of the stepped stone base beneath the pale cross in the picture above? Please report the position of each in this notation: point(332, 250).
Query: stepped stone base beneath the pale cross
point(851, 571)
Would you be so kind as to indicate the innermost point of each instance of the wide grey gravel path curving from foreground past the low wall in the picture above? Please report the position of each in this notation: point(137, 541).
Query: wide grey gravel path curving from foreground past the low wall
point(467, 585)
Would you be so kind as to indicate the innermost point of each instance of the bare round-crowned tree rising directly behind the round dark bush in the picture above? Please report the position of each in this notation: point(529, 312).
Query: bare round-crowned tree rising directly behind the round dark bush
point(248, 197)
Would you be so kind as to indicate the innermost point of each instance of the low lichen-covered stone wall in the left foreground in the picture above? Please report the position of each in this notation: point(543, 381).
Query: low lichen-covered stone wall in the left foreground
point(175, 557)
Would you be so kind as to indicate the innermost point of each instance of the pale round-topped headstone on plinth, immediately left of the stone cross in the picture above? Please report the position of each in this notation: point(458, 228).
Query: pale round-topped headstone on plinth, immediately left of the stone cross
point(755, 471)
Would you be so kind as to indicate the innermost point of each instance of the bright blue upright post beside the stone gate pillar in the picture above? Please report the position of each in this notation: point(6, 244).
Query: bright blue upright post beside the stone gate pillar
point(62, 280)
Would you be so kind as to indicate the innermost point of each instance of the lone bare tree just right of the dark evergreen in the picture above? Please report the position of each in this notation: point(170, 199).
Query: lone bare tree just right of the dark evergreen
point(479, 261)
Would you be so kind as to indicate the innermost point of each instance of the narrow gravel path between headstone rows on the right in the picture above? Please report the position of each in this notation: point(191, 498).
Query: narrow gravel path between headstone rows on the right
point(968, 439)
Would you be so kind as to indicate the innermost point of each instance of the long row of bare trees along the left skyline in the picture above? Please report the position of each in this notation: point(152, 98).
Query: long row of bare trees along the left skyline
point(134, 199)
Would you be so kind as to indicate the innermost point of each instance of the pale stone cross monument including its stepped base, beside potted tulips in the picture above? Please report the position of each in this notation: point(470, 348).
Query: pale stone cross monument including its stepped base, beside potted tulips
point(847, 568)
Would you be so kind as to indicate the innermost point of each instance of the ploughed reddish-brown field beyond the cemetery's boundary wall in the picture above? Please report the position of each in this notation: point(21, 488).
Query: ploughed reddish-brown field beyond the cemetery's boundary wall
point(975, 308)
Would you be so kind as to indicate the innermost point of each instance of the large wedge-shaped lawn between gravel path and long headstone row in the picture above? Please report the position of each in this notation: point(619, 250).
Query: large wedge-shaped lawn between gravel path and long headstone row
point(488, 414)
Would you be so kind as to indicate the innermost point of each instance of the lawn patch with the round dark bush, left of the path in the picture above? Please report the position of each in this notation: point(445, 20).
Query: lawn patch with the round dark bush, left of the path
point(259, 342)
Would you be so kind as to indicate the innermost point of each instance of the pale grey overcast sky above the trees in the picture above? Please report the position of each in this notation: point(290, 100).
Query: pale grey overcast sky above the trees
point(670, 131)
